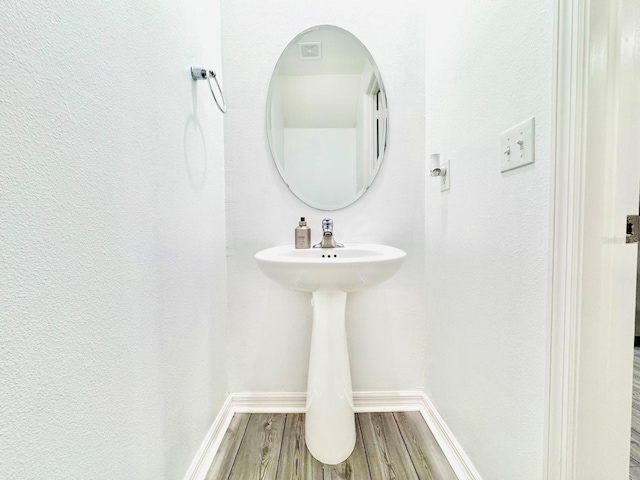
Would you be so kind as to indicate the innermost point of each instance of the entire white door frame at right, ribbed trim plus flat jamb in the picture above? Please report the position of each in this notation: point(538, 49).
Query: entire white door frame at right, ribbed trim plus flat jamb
point(594, 270)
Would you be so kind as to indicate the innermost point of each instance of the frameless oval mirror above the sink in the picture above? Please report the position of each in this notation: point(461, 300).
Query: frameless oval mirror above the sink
point(327, 117)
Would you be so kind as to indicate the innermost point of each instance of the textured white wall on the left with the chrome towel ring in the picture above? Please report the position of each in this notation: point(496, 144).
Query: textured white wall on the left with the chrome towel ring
point(112, 262)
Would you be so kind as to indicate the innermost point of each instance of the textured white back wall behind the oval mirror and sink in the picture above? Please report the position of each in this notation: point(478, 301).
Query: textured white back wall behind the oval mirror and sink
point(269, 326)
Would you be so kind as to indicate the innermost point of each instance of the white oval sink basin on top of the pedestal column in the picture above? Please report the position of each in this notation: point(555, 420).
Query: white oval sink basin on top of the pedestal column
point(348, 269)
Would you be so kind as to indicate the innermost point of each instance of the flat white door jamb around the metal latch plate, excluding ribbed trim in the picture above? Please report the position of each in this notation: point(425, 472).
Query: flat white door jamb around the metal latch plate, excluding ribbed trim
point(611, 185)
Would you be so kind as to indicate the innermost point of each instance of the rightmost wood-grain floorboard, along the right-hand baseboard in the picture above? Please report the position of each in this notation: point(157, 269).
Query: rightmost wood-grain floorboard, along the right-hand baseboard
point(427, 456)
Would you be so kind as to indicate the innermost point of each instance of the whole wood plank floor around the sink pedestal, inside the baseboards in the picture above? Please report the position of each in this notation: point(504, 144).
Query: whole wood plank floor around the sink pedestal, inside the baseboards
point(389, 446)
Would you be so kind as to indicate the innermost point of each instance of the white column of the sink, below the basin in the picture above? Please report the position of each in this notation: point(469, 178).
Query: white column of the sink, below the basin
point(330, 431)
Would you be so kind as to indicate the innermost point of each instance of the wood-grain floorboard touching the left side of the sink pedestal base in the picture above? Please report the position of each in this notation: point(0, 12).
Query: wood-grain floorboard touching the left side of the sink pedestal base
point(296, 463)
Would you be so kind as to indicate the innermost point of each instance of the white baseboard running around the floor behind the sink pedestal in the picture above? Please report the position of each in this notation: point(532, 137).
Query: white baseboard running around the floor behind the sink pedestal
point(288, 402)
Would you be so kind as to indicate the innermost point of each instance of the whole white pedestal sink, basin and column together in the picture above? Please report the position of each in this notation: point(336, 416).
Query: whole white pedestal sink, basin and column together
point(329, 274)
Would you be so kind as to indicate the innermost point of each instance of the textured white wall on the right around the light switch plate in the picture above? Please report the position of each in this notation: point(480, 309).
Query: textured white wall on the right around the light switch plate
point(488, 67)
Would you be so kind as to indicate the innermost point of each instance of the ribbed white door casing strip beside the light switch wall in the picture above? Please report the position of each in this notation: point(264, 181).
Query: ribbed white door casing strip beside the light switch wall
point(571, 37)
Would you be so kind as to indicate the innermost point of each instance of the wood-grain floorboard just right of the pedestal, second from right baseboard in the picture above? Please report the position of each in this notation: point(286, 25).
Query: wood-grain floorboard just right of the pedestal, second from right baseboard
point(387, 455)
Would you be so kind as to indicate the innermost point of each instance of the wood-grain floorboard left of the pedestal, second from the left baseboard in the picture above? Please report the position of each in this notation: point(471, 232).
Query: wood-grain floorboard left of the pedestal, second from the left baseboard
point(260, 448)
